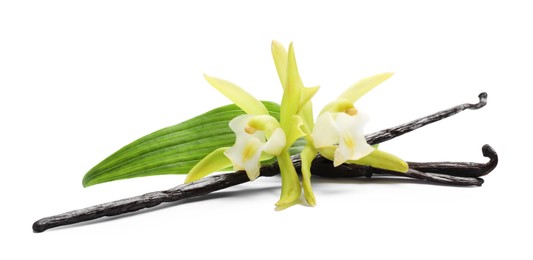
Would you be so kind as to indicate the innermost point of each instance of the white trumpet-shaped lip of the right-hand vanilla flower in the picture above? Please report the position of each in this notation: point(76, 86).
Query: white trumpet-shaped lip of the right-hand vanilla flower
point(343, 132)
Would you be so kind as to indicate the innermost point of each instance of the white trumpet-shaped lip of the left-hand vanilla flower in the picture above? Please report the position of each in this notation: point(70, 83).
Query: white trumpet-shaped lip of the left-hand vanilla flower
point(250, 143)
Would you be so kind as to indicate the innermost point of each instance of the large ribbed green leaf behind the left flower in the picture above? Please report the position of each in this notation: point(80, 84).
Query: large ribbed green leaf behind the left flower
point(175, 149)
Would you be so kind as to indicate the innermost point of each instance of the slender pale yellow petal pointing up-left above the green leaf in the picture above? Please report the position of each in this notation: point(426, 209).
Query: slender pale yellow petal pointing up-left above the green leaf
point(239, 96)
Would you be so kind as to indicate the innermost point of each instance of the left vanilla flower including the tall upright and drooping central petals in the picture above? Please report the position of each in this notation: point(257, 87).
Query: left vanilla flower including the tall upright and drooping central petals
point(259, 136)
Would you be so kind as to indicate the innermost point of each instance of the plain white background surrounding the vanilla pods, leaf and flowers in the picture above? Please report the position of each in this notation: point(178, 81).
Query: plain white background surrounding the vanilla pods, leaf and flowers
point(78, 80)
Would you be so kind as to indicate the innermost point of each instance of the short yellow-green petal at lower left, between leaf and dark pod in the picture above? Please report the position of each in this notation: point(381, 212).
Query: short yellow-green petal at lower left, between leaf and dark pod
point(215, 161)
